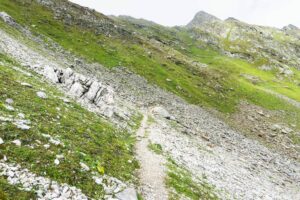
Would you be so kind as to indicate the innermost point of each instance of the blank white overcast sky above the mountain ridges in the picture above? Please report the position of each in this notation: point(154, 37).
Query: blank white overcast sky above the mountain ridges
point(276, 13)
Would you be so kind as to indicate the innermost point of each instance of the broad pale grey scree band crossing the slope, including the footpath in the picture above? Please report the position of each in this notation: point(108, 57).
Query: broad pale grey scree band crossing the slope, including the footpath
point(236, 166)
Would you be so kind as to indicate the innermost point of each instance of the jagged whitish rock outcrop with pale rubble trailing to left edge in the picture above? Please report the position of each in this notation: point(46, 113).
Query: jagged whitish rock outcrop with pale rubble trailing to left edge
point(87, 90)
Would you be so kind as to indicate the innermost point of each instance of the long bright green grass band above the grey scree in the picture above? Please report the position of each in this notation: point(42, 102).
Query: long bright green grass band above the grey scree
point(219, 86)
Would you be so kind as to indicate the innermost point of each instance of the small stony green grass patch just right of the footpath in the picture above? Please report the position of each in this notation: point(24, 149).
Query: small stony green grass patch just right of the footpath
point(180, 180)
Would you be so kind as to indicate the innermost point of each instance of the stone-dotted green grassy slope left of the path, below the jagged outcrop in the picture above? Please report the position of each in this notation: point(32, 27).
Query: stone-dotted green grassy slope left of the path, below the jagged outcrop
point(87, 137)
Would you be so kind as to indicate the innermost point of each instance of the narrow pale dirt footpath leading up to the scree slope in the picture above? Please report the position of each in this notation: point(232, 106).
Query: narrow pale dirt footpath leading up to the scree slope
point(152, 171)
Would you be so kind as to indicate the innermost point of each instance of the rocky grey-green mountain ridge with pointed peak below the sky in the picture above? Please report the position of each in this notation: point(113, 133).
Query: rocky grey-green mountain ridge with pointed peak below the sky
point(278, 47)
